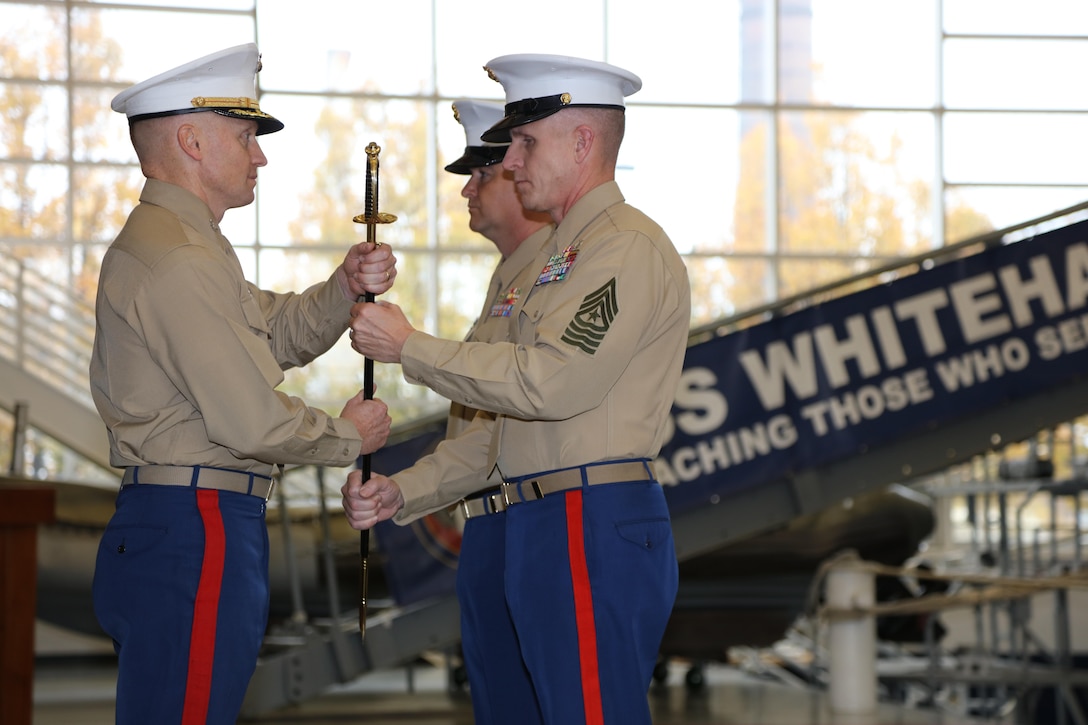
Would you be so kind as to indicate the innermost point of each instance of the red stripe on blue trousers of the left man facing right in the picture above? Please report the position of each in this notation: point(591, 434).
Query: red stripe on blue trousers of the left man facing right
point(205, 612)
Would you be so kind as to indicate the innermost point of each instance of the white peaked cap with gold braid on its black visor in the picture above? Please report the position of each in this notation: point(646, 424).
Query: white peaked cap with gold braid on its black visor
point(225, 82)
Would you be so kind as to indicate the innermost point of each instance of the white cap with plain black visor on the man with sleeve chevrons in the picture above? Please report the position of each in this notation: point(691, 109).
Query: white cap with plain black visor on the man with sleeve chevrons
point(539, 85)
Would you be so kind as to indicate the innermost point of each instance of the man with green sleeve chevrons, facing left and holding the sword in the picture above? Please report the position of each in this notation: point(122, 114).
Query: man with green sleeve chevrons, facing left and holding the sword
point(582, 392)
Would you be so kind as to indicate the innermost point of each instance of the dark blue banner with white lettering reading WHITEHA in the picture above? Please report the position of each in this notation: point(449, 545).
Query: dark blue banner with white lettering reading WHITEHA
point(848, 376)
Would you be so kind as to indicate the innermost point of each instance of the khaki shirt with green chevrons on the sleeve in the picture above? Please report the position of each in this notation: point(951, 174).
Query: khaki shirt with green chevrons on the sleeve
point(594, 363)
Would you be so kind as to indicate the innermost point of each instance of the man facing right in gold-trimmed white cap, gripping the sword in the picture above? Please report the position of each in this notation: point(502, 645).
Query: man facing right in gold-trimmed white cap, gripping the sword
point(186, 370)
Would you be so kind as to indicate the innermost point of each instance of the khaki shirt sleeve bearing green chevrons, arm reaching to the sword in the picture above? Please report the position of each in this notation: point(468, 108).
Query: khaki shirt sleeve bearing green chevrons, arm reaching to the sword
point(576, 338)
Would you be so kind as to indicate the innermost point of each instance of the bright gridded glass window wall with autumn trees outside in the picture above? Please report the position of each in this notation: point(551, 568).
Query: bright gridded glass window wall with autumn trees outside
point(783, 144)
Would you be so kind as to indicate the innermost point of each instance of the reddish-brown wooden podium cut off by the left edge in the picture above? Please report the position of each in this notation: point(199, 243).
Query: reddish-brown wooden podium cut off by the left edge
point(23, 507)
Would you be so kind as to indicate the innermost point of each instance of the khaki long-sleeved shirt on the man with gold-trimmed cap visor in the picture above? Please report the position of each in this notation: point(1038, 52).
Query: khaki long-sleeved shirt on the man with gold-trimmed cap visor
point(188, 353)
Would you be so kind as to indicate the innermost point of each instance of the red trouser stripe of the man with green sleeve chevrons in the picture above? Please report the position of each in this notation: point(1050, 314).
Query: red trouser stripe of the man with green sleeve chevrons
point(584, 611)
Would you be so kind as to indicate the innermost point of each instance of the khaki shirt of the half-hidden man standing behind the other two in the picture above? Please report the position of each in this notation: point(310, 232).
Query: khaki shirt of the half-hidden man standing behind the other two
point(466, 446)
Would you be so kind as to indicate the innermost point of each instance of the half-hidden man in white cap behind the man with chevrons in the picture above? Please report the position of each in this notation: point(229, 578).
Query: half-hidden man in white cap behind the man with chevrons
point(496, 212)
